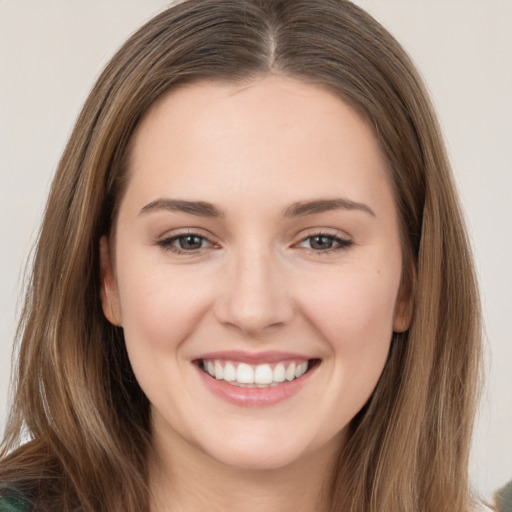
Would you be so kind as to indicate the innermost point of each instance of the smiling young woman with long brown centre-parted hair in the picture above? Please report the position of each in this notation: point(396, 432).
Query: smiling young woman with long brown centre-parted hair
point(252, 287)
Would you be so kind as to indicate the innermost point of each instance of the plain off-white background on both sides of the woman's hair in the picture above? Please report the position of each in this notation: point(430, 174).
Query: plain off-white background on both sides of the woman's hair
point(51, 51)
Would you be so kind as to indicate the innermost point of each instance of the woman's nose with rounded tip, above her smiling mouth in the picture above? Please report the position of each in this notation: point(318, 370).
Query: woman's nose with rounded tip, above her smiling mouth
point(254, 299)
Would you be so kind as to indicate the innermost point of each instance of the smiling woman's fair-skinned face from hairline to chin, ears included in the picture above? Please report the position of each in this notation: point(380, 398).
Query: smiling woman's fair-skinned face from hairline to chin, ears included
point(257, 269)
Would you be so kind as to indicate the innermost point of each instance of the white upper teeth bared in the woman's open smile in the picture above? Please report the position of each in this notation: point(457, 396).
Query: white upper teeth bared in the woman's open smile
point(256, 375)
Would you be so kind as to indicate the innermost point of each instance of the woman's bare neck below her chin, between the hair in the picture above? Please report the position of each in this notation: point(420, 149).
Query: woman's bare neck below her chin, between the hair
point(194, 482)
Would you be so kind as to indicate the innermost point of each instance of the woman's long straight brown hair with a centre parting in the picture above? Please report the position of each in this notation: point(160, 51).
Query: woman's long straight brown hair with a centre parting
point(75, 396)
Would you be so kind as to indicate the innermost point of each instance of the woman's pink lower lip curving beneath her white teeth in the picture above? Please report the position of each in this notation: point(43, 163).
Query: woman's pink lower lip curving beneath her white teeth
point(255, 397)
